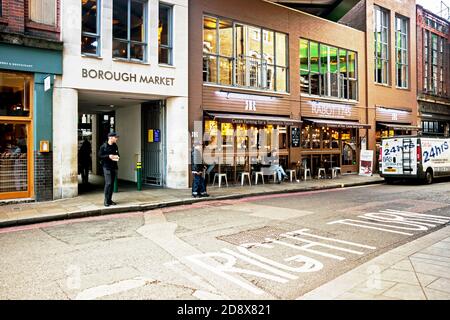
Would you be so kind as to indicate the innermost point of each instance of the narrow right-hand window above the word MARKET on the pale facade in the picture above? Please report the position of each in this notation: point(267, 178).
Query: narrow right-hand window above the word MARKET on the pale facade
point(165, 34)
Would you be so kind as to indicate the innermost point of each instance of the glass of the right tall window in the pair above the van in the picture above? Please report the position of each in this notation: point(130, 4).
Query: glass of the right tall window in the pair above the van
point(401, 51)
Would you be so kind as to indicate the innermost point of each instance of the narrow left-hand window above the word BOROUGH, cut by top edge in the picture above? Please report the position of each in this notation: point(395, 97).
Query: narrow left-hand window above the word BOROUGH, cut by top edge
point(90, 27)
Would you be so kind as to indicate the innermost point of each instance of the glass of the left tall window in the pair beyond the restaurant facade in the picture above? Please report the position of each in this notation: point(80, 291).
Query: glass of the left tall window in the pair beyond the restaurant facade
point(381, 34)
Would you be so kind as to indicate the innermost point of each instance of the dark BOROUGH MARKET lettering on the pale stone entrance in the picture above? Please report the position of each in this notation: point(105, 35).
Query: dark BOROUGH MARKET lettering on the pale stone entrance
point(126, 77)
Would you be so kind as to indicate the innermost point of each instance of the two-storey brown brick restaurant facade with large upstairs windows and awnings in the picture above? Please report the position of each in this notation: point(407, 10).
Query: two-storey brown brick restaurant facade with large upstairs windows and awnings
point(276, 79)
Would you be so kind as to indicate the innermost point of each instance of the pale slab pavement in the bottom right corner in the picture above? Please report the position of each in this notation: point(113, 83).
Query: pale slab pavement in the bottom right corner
point(418, 270)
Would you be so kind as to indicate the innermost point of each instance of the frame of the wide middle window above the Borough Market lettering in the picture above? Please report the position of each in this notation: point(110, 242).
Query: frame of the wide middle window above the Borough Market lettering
point(128, 41)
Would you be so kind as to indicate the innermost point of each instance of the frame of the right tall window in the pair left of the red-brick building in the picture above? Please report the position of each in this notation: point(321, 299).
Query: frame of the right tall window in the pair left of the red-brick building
point(399, 64)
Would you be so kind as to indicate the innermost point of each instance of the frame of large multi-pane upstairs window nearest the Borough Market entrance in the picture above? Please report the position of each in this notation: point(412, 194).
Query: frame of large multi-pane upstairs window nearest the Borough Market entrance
point(233, 59)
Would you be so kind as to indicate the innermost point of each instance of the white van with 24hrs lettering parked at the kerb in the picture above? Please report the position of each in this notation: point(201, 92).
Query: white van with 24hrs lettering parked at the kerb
point(414, 157)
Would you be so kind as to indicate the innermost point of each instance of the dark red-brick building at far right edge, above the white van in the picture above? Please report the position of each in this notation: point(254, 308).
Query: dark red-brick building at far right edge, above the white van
point(433, 74)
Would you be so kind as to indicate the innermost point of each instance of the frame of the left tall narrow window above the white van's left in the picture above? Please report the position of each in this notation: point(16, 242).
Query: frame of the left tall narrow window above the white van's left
point(385, 47)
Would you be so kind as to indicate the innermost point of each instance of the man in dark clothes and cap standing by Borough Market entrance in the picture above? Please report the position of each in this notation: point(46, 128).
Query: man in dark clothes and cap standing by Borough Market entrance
point(109, 156)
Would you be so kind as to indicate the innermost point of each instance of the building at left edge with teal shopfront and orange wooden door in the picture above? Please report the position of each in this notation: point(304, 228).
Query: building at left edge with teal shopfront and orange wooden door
point(30, 58)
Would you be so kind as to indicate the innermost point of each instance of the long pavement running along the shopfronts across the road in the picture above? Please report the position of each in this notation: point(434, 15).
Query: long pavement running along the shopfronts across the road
point(13, 213)
